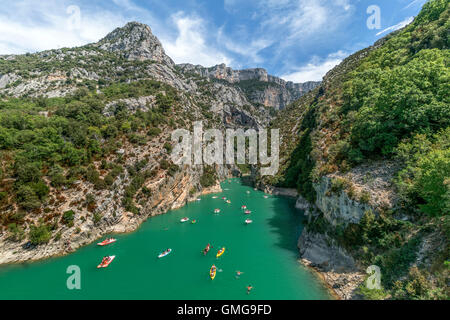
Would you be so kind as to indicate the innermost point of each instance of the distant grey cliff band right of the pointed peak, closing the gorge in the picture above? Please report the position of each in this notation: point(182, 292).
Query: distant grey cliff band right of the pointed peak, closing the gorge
point(260, 87)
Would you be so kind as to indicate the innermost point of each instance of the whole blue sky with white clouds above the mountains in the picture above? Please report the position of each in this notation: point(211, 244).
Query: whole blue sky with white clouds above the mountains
point(298, 40)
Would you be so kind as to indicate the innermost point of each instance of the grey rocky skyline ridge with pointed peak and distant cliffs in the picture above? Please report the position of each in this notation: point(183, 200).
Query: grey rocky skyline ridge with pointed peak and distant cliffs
point(144, 53)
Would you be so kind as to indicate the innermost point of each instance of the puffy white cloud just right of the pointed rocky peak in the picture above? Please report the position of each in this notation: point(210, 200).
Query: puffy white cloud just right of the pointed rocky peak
point(190, 44)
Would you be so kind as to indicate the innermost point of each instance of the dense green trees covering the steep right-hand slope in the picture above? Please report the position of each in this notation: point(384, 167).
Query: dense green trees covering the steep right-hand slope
point(377, 104)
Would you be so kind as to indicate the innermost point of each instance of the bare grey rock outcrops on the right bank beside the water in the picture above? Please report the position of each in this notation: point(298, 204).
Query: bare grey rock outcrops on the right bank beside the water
point(342, 200)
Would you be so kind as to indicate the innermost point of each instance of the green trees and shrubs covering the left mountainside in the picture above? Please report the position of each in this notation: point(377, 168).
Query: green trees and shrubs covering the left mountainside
point(55, 142)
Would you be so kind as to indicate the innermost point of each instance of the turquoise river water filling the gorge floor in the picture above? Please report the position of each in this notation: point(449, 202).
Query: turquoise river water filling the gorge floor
point(265, 251)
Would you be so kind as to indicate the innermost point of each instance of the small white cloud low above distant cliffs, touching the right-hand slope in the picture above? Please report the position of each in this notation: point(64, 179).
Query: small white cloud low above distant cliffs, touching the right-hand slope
point(315, 69)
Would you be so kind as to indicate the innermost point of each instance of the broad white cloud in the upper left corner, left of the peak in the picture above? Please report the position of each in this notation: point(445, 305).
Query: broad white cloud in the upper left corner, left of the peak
point(30, 26)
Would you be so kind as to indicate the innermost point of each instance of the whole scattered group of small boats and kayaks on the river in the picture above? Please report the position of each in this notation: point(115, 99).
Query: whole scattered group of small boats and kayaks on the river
point(106, 261)
